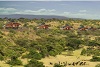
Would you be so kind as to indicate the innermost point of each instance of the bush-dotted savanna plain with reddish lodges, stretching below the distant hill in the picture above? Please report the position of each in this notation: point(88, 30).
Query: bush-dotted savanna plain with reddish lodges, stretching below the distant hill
point(49, 42)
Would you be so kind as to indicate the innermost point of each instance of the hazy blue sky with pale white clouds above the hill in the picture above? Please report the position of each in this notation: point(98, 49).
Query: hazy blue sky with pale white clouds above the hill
point(76, 9)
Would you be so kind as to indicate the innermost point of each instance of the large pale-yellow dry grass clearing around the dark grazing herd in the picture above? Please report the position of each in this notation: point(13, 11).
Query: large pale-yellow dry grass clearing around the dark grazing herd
point(63, 58)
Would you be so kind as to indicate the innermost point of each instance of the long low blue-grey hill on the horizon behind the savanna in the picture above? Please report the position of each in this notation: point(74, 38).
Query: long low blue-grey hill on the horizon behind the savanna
point(33, 16)
